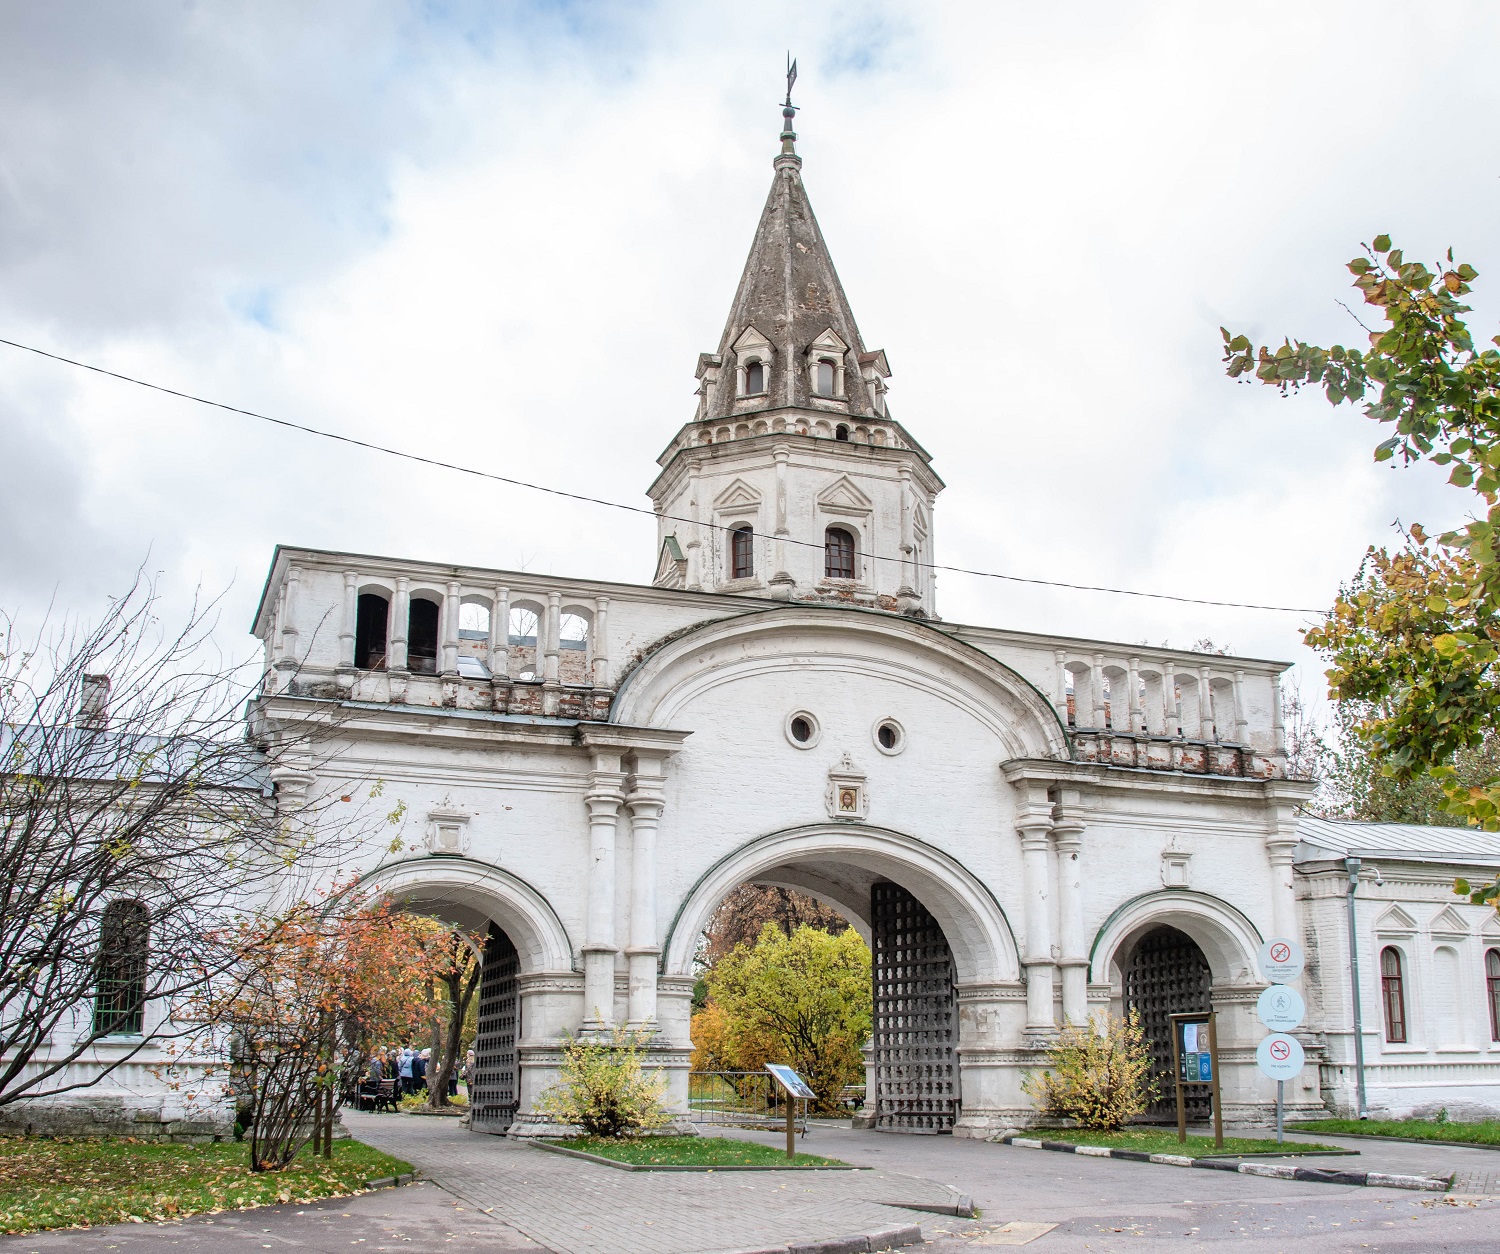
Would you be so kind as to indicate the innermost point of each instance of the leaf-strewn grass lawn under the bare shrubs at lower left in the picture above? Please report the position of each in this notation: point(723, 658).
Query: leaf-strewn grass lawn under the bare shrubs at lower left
point(62, 1184)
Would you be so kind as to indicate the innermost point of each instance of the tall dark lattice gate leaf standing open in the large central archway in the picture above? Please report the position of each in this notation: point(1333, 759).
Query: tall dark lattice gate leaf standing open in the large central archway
point(916, 1018)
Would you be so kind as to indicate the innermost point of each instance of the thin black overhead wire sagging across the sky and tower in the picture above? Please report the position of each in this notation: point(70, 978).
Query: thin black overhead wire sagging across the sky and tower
point(634, 509)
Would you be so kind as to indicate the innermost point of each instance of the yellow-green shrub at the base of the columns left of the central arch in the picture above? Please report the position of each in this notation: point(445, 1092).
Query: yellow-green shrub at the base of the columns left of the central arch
point(604, 1088)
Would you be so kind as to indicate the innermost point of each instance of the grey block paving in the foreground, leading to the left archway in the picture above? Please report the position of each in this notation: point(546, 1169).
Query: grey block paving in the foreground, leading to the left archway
point(581, 1208)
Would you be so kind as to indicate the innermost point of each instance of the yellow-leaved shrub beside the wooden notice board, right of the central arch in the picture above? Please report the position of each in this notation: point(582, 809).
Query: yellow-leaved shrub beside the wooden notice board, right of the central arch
point(1099, 1076)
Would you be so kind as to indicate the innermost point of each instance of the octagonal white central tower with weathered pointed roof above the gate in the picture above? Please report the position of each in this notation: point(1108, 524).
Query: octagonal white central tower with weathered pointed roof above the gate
point(793, 481)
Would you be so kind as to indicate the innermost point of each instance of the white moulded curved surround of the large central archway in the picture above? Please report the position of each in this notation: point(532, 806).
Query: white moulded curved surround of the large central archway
point(982, 940)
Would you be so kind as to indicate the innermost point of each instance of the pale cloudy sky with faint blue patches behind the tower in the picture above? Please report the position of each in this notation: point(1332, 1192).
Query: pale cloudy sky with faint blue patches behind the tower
point(500, 233)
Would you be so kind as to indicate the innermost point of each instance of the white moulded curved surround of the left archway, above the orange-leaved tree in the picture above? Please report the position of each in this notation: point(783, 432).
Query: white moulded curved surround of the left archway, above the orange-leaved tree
point(469, 893)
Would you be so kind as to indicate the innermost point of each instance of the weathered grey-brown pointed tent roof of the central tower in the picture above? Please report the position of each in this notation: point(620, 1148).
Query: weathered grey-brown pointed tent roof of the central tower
point(791, 295)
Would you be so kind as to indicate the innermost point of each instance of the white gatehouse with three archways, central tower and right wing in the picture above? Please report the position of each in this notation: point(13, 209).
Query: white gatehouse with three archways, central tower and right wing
point(1030, 830)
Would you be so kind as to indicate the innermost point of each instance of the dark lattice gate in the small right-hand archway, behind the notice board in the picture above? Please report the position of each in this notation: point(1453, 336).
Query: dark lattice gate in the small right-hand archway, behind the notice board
point(1166, 976)
